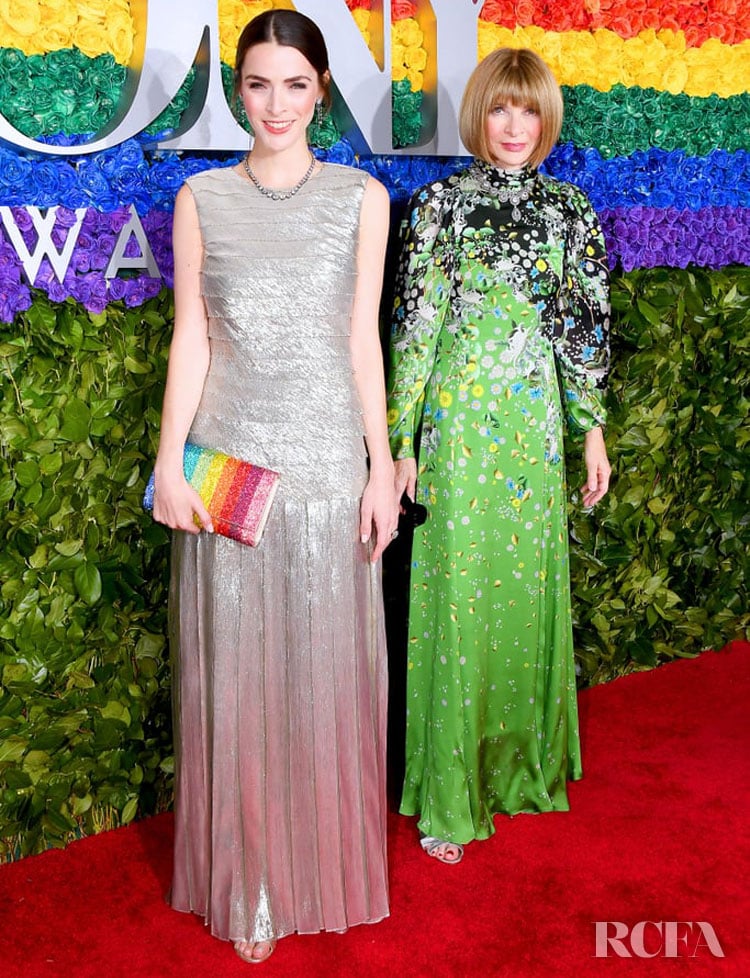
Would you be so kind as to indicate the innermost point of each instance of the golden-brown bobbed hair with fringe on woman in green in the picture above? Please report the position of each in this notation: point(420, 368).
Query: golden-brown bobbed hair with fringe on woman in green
point(515, 76)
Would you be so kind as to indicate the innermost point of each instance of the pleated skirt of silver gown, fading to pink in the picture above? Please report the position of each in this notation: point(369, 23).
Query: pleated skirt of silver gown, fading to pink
point(279, 693)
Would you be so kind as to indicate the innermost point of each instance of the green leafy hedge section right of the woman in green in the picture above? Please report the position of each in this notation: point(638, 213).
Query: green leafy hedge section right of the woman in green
point(660, 568)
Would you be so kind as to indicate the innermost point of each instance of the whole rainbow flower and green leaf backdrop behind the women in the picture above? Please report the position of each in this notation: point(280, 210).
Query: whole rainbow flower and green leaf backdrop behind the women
point(657, 131)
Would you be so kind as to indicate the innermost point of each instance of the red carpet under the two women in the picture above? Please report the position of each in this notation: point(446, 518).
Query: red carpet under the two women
point(658, 831)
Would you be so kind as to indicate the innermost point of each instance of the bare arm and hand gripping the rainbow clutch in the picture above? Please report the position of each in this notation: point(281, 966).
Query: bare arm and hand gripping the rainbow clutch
point(175, 502)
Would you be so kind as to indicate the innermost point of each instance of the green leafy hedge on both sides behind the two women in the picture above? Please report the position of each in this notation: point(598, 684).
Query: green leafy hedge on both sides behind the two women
point(659, 569)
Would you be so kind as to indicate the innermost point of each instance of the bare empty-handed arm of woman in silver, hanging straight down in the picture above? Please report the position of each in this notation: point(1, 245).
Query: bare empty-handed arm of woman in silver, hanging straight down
point(379, 509)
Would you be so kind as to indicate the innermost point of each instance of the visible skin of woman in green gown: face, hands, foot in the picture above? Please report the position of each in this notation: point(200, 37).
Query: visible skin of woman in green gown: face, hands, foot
point(513, 132)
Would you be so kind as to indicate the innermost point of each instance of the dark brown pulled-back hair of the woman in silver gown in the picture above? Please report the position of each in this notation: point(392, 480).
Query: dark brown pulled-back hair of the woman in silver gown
point(292, 29)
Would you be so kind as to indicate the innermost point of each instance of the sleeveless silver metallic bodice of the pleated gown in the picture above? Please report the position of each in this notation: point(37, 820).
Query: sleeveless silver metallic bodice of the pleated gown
point(278, 281)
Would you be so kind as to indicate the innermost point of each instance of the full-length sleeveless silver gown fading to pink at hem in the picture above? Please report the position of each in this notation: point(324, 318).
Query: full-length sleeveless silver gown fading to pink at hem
point(280, 669)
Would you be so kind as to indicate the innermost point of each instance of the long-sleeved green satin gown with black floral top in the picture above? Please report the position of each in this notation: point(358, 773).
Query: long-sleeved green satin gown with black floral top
point(501, 318)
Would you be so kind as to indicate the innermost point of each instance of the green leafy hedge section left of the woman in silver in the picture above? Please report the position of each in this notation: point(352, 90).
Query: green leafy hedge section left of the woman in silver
point(84, 680)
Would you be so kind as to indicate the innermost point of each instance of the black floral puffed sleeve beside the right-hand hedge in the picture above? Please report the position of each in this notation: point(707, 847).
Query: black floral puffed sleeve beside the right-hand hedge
point(582, 327)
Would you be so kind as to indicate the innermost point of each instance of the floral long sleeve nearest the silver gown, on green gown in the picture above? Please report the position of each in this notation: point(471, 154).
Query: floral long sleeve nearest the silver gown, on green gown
point(422, 297)
